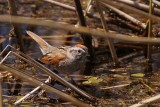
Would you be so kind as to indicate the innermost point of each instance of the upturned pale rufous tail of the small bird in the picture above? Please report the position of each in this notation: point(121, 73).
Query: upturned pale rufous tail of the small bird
point(44, 46)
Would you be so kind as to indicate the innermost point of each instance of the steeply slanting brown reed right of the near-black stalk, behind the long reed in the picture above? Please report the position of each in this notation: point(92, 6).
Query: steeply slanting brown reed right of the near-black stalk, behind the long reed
point(110, 43)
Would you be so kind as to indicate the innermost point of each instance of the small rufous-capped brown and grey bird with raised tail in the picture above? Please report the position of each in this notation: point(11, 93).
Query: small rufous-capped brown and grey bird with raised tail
point(65, 59)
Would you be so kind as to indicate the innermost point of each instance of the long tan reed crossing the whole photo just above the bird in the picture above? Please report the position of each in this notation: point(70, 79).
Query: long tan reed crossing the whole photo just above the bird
point(79, 29)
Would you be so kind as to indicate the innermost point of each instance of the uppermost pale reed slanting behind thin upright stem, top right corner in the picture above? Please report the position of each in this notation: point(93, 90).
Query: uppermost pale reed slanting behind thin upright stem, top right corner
point(139, 6)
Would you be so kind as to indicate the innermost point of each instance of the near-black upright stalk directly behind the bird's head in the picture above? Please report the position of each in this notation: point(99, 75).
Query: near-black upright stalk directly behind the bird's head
point(87, 38)
